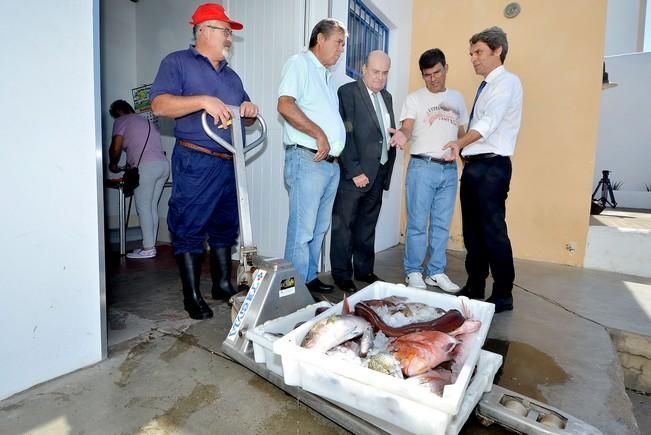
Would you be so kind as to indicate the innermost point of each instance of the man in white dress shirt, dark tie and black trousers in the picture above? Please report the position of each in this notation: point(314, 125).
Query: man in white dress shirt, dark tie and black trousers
point(486, 150)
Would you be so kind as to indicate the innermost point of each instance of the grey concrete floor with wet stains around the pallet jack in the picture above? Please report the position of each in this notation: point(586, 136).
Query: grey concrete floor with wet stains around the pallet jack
point(166, 374)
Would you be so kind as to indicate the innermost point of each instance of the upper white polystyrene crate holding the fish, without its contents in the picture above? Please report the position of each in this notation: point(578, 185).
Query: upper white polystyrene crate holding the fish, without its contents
point(372, 392)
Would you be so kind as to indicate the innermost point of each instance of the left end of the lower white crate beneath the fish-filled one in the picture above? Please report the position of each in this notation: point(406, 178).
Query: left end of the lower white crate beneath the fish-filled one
point(263, 339)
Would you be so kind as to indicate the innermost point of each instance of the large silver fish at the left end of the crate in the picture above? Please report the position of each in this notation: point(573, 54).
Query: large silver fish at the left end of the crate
point(334, 330)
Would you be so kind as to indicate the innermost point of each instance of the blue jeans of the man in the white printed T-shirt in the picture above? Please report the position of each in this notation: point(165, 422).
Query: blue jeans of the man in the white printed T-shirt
point(431, 192)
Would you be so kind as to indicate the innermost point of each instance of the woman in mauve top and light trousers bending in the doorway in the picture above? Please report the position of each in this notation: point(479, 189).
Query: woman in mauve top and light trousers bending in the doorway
point(132, 133)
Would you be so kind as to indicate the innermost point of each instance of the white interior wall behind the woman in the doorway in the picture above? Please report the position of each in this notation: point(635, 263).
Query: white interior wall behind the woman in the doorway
point(135, 37)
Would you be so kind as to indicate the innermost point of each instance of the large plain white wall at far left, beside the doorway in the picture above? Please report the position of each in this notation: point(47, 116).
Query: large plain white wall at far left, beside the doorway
point(51, 284)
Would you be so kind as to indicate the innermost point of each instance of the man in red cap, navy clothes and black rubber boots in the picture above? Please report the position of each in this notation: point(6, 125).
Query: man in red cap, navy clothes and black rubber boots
point(204, 200)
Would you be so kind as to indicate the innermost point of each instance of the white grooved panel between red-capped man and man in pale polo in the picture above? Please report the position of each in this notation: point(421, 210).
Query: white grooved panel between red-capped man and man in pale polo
point(273, 31)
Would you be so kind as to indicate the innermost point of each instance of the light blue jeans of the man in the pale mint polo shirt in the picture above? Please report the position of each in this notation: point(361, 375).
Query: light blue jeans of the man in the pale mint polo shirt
point(312, 188)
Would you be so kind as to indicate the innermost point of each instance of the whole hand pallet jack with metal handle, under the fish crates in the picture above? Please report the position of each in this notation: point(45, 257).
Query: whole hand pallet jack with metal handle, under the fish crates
point(275, 290)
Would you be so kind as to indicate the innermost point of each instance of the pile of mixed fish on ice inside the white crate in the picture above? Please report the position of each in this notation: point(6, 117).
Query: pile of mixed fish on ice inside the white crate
point(408, 340)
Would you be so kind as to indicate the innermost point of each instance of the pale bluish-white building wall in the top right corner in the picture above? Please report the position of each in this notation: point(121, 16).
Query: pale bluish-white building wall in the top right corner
point(624, 26)
